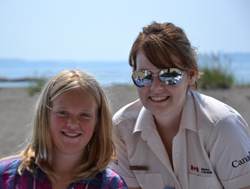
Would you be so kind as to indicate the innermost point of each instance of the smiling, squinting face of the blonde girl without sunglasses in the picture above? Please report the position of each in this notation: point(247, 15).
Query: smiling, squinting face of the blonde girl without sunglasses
point(72, 121)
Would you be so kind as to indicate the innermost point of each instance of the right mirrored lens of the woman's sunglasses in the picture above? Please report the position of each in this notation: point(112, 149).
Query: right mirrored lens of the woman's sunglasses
point(171, 76)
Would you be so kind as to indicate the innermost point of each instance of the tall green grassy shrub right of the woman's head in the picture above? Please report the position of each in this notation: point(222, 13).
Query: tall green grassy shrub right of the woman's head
point(216, 69)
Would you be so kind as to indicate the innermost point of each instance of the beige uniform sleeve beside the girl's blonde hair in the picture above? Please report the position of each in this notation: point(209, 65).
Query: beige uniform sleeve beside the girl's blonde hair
point(121, 163)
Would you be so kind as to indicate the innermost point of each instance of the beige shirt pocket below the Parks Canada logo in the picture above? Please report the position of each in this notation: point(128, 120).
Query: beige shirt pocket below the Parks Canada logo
point(196, 181)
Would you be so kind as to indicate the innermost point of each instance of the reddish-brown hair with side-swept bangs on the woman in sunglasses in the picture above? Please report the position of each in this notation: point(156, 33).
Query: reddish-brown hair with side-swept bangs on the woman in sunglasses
point(159, 41)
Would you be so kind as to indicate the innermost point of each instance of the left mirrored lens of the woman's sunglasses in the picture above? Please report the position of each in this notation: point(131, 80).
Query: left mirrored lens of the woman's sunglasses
point(142, 78)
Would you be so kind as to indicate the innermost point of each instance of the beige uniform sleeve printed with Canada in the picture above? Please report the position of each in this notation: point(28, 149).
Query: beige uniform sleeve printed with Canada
point(229, 147)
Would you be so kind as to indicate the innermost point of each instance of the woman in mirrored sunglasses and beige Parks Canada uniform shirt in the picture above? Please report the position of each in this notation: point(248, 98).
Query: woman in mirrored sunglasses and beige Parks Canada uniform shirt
point(174, 137)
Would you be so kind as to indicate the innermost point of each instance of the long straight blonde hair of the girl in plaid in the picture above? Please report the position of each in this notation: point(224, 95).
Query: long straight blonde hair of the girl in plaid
point(100, 150)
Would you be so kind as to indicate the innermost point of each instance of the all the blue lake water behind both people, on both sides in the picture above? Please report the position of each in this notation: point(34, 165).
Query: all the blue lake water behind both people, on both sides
point(106, 73)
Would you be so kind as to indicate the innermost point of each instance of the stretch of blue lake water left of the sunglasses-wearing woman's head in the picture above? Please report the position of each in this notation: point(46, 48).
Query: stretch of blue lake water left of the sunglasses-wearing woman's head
point(106, 73)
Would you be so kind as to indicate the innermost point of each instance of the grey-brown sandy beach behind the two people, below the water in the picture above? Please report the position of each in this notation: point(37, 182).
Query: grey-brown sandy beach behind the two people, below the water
point(17, 107)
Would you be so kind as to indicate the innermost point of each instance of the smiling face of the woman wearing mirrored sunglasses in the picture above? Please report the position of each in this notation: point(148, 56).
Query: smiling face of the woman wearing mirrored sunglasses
point(161, 99)
